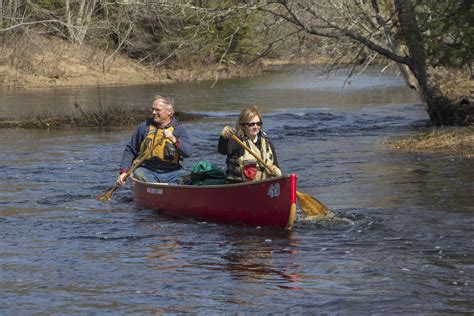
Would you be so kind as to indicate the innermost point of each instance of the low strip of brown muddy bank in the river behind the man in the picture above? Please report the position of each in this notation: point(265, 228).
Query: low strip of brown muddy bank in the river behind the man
point(100, 119)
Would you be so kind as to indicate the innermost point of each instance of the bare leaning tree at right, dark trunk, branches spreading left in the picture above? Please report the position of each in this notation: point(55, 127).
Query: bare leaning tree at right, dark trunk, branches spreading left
point(385, 27)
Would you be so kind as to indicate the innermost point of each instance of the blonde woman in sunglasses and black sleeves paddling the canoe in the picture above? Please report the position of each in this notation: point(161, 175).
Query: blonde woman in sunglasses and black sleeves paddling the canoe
point(242, 166)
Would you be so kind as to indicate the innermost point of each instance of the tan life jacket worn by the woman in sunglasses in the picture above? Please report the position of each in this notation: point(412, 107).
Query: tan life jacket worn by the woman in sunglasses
point(265, 152)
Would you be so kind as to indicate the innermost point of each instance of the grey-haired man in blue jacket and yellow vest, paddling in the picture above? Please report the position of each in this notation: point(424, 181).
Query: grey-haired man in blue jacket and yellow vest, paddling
point(164, 141)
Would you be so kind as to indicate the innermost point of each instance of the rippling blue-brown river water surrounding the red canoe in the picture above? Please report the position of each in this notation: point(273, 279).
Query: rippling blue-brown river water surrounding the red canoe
point(407, 249)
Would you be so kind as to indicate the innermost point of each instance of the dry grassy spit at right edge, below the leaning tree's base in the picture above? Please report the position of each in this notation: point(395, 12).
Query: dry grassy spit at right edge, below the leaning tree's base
point(459, 141)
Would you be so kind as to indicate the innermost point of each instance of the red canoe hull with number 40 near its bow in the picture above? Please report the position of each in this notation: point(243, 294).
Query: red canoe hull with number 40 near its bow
point(268, 203)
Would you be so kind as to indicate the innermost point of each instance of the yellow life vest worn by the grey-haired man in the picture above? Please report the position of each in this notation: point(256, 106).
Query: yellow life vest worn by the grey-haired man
point(164, 151)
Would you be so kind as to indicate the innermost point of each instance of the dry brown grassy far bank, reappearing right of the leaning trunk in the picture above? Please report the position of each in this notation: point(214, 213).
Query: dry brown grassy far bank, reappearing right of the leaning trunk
point(50, 62)
